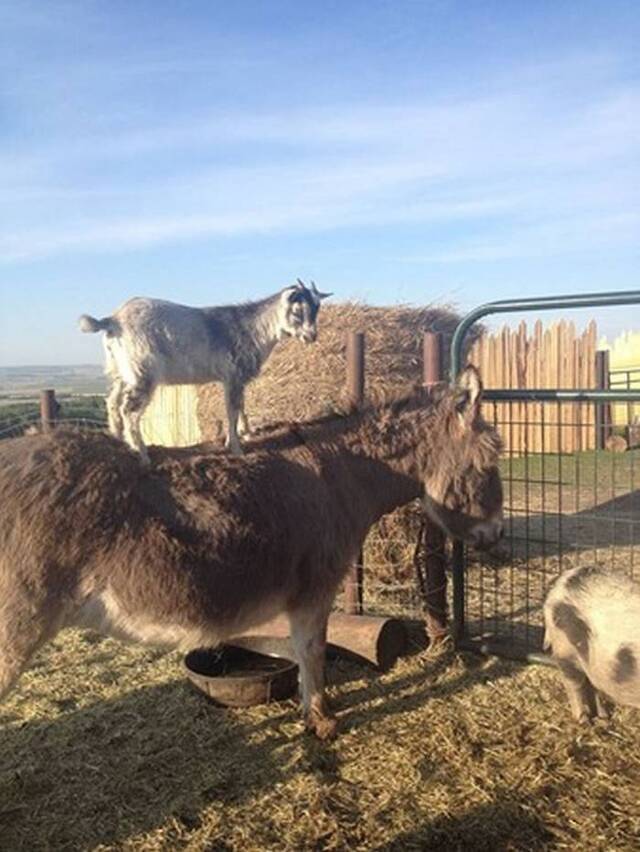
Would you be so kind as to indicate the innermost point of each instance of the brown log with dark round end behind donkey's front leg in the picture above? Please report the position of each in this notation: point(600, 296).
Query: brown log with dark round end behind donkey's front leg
point(378, 641)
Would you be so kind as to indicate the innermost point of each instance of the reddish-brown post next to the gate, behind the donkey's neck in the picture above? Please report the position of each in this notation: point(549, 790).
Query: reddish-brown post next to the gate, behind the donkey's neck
point(434, 551)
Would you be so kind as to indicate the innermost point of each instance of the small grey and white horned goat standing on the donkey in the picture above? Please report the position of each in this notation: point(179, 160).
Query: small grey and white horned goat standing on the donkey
point(150, 342)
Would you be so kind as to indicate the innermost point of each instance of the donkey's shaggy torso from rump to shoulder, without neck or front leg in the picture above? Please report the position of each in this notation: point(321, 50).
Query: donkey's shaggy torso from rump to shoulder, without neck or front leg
point(197, 548)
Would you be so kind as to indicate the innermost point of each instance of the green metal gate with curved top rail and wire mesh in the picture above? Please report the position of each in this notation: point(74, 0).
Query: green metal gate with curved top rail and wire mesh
point(563, 506)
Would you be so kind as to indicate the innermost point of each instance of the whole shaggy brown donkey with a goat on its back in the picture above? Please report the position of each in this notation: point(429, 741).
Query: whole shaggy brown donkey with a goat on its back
point(203, 546)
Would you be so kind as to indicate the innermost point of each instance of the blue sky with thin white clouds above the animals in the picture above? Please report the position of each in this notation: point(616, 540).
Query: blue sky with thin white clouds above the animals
point(399, 151)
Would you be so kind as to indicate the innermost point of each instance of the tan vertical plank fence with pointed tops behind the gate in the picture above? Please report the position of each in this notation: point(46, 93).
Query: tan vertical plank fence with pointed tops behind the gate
point(552, 357)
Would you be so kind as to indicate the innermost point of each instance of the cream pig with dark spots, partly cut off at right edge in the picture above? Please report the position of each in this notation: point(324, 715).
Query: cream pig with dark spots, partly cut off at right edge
point(592, 627)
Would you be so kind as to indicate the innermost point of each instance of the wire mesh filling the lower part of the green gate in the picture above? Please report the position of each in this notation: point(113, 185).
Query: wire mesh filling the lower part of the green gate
point(562, 509)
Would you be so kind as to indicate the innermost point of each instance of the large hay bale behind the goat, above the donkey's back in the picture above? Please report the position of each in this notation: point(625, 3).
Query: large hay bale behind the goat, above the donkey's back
point(300, 382)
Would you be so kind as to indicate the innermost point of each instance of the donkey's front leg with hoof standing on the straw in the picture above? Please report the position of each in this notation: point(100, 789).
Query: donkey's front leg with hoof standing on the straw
point(309, 638)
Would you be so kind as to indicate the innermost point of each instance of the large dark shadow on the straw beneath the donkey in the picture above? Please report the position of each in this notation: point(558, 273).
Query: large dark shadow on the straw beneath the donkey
point(124, 767)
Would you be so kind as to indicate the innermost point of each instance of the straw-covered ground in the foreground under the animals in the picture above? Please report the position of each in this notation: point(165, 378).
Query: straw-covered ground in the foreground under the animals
point(104, 746)
